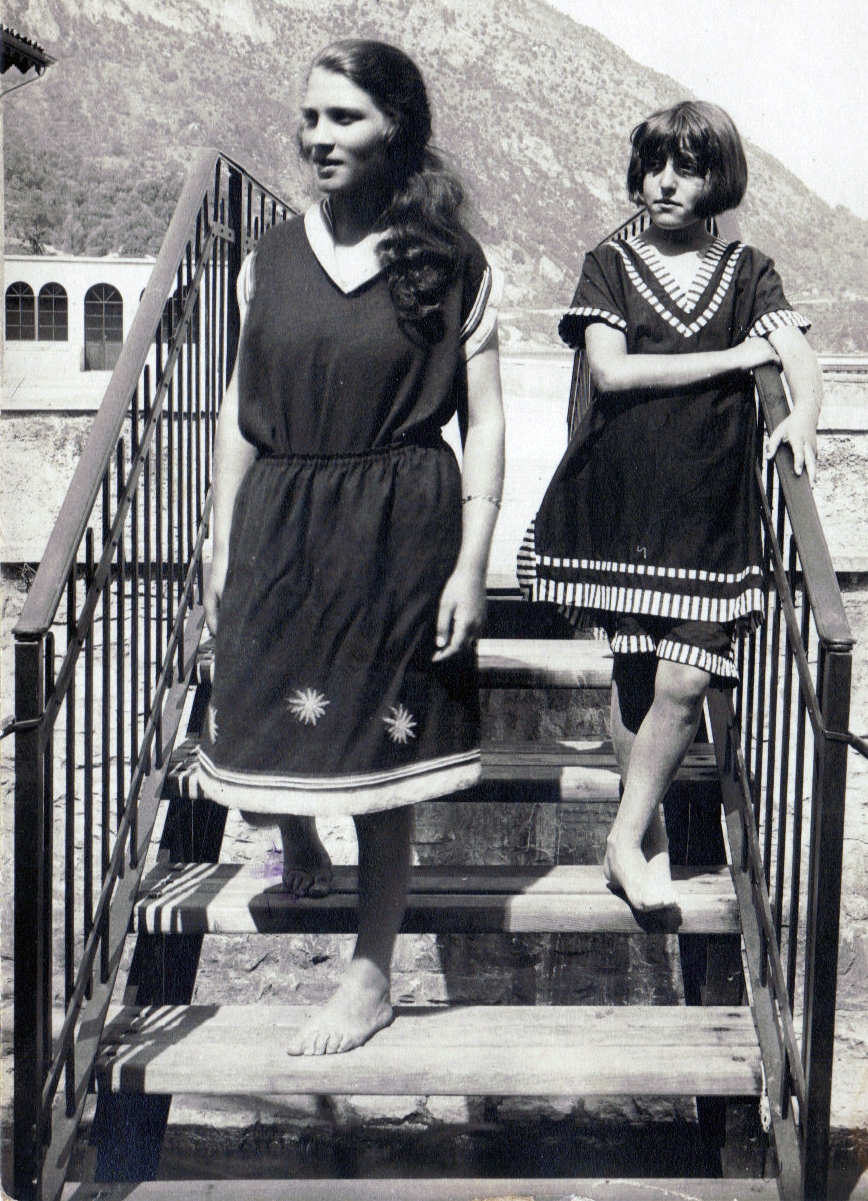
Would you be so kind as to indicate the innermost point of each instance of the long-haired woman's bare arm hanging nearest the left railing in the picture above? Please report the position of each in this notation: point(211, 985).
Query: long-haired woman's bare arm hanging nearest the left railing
point(232, 458)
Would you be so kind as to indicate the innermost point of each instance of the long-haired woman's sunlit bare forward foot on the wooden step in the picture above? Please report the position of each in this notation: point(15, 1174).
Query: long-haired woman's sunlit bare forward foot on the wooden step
point(350, 1018)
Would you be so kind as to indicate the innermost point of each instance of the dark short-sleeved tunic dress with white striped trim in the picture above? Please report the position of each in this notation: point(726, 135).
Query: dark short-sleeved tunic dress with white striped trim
point(654, 509)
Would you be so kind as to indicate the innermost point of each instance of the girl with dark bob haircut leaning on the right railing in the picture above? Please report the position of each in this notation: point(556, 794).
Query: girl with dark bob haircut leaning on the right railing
point(650, 527)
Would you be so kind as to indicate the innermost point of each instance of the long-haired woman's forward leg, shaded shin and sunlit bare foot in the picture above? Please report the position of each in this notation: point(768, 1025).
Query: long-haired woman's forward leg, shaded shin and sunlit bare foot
point(361, 1007)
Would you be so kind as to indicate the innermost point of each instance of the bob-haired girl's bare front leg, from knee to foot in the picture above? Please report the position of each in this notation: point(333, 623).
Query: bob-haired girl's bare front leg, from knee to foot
point(657, 751)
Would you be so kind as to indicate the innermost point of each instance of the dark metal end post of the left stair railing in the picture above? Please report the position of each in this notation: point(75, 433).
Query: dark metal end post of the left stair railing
point(32, 894)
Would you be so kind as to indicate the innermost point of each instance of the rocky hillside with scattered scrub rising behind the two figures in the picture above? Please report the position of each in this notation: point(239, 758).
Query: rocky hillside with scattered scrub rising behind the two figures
point(535, 109)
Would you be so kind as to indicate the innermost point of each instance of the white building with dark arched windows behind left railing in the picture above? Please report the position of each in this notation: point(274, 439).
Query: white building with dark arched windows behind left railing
point(65, 321)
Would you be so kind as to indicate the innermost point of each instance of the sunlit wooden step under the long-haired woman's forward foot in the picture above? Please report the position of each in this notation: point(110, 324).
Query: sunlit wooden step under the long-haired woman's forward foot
point(472, 1050)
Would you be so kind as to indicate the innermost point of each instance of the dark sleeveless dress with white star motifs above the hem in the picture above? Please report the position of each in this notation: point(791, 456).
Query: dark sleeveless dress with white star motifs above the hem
point(345, 530)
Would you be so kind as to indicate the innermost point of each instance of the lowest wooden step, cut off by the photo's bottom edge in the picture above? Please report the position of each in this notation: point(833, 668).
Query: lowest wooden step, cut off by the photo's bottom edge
point(442, 1190)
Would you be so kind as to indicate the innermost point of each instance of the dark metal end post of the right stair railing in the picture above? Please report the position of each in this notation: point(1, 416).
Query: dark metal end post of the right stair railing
point(823, 916)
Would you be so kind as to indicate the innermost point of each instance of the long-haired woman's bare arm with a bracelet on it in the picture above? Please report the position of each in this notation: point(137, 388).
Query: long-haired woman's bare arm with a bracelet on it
point(463, 604)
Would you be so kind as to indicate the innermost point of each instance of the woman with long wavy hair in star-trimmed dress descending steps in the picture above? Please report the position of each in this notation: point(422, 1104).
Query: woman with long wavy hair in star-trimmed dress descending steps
point(350, 552)
